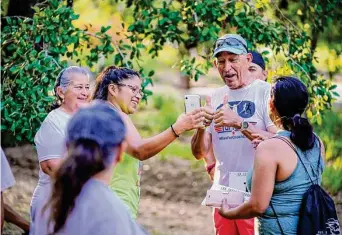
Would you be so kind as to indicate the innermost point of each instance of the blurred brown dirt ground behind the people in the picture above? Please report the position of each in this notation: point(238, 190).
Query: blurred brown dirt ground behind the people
point(171, 193)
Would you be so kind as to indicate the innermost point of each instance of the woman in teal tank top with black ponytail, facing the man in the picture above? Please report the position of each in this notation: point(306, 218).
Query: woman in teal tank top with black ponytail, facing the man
point(280, 177)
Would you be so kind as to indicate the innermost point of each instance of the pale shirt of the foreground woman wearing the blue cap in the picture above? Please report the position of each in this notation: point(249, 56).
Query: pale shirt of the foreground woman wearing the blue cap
point(97, 211)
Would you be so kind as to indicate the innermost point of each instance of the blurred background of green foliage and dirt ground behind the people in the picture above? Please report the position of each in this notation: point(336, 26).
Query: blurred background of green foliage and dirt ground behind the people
point(173, 182)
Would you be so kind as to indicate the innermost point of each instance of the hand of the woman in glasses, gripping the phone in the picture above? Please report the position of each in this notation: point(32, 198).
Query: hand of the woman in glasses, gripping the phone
point(189, 121)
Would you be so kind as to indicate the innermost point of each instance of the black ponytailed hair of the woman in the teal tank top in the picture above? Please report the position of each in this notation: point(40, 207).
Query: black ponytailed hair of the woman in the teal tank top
point(290, 98)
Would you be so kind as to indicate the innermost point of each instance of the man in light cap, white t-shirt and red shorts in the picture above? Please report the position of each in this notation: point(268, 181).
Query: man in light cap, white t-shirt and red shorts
point(240, 112)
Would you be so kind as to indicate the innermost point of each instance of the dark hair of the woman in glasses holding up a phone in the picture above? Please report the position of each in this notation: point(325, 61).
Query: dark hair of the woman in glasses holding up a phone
point(111, 75)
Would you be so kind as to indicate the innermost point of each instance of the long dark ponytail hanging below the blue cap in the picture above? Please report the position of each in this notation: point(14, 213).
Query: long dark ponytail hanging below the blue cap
point(85, 158)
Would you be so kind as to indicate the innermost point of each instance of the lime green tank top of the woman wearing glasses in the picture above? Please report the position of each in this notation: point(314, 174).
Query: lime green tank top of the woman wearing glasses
point(126, 182)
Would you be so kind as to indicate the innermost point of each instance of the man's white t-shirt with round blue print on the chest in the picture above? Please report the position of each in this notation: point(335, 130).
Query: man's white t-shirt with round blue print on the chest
point(232, 150)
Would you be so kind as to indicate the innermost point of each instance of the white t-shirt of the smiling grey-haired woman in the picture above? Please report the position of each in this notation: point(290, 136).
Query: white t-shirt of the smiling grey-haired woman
point(50, 144)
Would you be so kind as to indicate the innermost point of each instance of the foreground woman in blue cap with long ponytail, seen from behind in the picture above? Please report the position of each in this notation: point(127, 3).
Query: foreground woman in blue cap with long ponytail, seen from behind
point(80, 201)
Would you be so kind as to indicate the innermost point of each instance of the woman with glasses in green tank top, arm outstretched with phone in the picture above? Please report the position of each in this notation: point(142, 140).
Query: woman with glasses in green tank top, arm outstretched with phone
point(121, 87)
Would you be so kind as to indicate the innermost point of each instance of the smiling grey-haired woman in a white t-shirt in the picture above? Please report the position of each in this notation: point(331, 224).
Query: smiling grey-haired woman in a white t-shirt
point(72, 91)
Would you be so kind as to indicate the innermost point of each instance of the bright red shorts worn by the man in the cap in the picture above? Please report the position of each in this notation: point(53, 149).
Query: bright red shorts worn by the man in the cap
point(225, 226)
